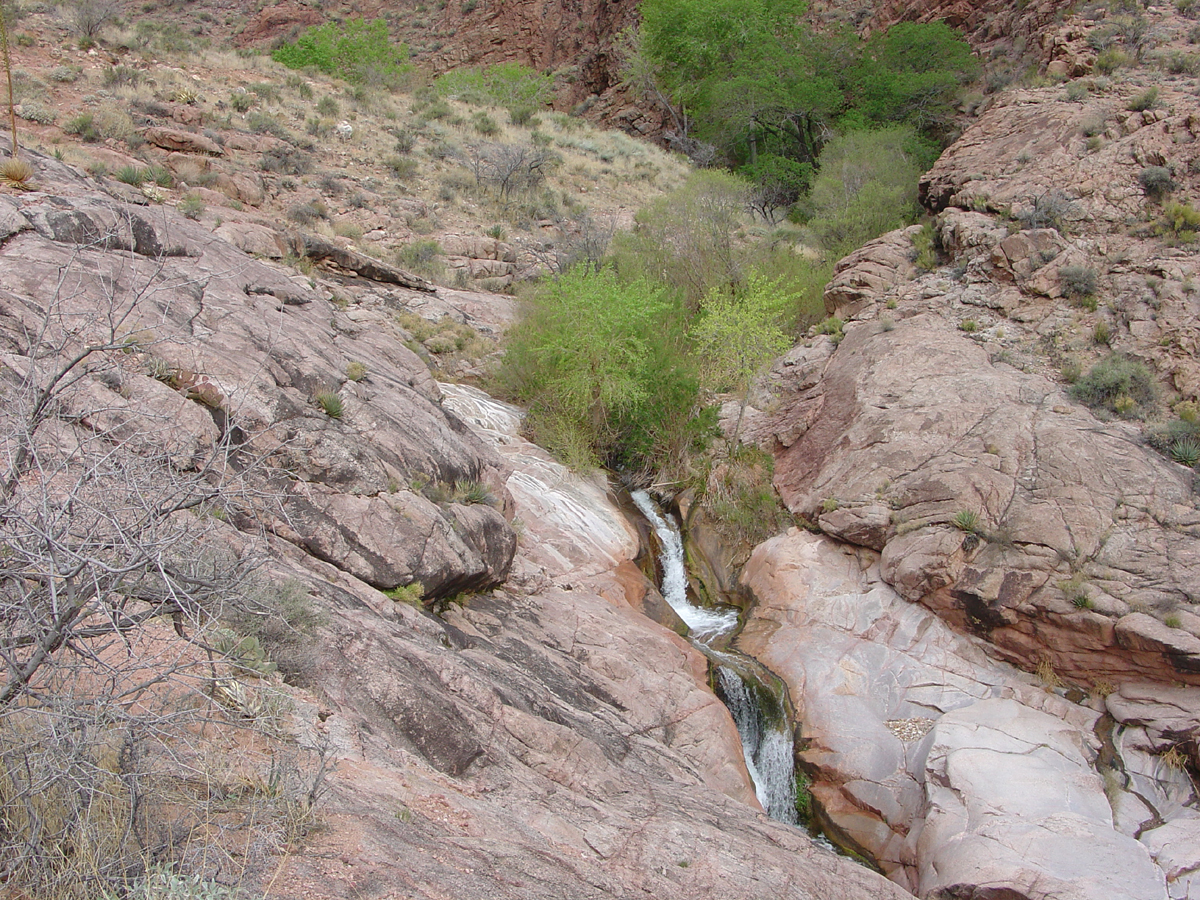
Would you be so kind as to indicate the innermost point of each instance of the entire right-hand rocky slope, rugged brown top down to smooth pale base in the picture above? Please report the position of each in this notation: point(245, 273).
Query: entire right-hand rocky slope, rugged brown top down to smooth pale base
point(940, 439)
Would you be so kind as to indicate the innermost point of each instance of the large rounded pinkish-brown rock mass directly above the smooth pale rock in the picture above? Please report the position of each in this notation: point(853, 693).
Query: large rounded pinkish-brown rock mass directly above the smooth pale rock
point(917, 427)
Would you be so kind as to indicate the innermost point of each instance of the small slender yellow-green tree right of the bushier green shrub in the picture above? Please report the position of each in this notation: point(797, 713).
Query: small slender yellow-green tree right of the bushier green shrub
point(739, 334)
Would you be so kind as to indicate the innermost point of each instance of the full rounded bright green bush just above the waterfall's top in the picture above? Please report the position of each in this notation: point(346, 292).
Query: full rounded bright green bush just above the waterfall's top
point(601, 367)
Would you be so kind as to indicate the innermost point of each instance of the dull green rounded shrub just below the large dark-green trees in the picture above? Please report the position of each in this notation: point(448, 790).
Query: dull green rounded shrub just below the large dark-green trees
point(867, 187)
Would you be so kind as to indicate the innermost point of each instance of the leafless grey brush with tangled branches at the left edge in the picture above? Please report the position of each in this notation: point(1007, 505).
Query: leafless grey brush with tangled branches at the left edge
point(117, 566)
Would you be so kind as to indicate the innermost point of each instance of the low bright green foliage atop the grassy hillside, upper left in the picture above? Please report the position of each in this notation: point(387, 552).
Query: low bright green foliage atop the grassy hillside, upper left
point(358, 51)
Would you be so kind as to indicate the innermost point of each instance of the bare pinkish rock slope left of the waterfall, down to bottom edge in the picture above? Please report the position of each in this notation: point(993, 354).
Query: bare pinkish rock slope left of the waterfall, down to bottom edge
point(545, 737)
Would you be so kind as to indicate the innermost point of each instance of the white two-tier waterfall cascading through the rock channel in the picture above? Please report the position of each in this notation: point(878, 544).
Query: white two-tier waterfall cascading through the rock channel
point(754, 699)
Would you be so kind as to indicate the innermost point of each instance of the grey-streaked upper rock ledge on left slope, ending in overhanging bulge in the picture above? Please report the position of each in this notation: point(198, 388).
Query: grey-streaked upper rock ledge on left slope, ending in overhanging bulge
point(248, 350)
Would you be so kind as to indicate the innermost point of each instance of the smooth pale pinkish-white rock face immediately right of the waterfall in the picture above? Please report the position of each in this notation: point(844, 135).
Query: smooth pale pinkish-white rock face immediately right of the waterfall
point(958, 773)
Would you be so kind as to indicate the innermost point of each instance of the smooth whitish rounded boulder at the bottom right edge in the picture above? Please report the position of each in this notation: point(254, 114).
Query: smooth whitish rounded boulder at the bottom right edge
point(1013, 802)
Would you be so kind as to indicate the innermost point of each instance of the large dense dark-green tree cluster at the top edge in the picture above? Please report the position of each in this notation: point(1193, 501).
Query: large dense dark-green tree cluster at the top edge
point(755, 79)
